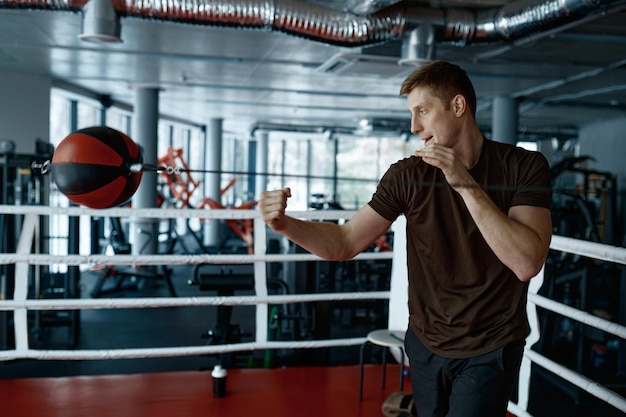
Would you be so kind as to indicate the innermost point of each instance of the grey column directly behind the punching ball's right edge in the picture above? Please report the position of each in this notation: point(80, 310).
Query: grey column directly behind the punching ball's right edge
point(145, 134)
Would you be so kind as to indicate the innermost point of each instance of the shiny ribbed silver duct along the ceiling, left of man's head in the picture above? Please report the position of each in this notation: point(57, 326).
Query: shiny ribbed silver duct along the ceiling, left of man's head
point(292, 17)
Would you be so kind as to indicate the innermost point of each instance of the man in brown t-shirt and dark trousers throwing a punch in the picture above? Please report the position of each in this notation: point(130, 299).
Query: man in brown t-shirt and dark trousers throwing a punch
point(478, 229)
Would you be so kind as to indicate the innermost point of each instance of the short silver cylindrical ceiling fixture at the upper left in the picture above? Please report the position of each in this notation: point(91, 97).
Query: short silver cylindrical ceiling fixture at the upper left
point(101, 24)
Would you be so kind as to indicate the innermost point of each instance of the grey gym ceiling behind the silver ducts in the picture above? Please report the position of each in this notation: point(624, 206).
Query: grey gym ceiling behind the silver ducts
point(571, 75)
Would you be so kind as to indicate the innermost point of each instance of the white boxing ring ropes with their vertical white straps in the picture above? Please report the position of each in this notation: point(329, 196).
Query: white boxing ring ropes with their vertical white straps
point(23, 260)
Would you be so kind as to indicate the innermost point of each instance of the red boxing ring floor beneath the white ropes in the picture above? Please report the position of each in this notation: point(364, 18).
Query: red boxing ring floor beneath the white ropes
point(288, 392)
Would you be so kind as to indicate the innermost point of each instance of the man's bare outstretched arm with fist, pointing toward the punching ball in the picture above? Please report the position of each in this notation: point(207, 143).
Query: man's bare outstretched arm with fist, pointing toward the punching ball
point(327, 240)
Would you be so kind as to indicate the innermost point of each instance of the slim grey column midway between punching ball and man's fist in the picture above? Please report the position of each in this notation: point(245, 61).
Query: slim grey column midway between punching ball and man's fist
point(213, 162)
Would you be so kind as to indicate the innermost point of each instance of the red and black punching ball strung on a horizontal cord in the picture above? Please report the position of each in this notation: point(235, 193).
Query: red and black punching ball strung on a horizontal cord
point(92, 167)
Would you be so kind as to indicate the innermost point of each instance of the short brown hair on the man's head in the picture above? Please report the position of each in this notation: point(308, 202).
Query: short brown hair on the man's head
point(446, 80)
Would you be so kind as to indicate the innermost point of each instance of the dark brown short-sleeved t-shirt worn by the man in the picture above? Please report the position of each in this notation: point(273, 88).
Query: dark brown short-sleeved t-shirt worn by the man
point(463, 301)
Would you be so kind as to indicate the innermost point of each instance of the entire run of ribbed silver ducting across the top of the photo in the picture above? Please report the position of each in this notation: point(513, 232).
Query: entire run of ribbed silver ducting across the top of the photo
point(462, 27)
